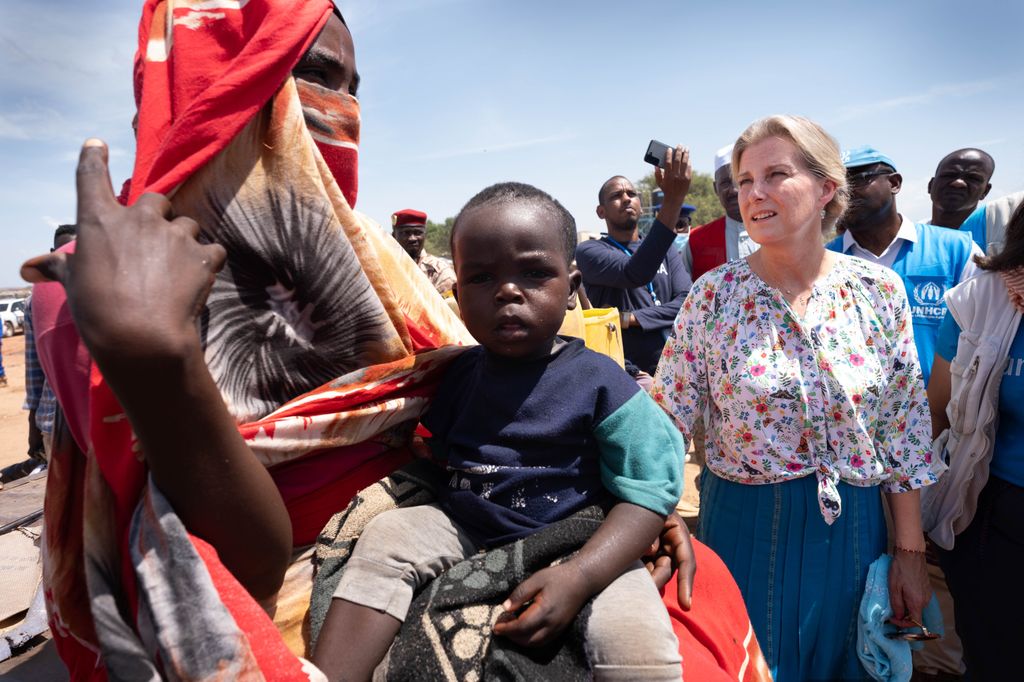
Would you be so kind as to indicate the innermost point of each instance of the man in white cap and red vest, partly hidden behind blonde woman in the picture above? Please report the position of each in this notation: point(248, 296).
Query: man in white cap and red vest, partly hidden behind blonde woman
point(724, 239)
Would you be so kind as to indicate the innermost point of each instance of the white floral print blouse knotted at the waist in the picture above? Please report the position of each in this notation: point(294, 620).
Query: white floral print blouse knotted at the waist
point(838, 394)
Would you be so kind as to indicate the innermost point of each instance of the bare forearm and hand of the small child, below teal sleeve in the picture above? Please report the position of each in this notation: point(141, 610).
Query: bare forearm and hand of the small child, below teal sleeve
point(557, 594)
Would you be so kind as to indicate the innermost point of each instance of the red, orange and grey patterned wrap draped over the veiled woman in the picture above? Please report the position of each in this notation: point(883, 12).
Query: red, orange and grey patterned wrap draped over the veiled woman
point(324, 337)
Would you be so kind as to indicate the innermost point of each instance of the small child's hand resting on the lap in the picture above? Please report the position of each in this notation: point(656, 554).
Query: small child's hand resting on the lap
point(554, 595)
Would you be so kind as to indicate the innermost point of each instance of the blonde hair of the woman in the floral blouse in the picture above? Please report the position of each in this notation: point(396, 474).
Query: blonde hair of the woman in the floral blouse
point(819, 149)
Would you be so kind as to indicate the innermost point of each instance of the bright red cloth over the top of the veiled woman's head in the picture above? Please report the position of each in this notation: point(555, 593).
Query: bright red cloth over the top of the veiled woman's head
point(192, 108)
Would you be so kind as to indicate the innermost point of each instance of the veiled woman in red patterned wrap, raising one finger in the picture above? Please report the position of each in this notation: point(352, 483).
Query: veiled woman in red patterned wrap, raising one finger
point(203, 470)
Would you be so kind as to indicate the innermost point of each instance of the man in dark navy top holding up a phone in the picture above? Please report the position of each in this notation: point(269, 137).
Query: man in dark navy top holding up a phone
point(646, 280)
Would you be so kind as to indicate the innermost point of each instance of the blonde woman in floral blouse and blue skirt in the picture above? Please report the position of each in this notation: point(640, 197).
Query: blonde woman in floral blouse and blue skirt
point(803, 365)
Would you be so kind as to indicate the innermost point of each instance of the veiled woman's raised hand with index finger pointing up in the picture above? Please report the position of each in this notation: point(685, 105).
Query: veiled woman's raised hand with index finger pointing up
point(138, 280)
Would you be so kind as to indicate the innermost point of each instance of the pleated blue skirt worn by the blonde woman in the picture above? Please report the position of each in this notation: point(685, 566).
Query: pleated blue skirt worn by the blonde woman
point(802, 580)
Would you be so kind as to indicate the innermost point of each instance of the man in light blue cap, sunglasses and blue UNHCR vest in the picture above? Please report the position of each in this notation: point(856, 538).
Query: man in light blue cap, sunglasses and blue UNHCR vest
point(930, 260)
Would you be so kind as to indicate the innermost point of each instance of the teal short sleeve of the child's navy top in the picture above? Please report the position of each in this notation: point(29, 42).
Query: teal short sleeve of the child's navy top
point(643, 455)
